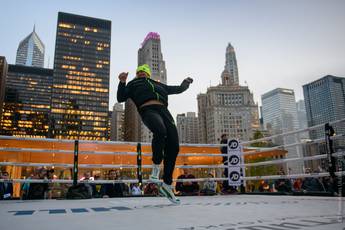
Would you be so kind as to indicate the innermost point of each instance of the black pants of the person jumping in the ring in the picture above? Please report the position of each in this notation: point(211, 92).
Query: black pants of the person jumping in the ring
point(165, 144)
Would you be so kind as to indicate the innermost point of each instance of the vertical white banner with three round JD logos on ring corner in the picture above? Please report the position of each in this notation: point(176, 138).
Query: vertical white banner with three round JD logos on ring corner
point(235, 156)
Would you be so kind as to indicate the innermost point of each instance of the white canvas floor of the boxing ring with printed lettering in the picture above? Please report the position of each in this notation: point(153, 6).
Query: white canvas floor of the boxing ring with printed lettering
point(245, 212)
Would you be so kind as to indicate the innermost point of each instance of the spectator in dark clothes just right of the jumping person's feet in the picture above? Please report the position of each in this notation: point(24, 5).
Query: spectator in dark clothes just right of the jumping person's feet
point(187, 188)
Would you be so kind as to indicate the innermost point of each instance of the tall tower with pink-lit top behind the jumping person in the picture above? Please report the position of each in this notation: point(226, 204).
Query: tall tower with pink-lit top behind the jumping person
point(149, 53)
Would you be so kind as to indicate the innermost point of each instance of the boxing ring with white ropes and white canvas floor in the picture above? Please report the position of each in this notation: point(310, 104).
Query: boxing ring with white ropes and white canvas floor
point(240, 211)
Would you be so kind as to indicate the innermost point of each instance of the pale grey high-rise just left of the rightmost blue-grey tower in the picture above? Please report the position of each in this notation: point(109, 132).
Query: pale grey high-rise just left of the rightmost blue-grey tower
point(280, 115)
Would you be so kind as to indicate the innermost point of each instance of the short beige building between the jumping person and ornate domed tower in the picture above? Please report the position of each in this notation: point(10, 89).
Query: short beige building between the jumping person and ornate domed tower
point(188, 127)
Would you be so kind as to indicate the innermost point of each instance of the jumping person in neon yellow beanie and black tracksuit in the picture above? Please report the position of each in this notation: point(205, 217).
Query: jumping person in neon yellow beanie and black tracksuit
point(151, 100)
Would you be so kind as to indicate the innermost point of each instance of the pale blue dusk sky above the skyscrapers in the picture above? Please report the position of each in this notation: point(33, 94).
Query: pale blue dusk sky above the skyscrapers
point(277, 44)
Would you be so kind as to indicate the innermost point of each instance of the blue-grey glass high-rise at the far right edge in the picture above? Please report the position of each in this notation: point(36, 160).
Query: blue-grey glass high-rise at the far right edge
point(325, 102)
